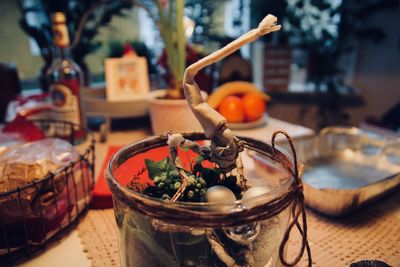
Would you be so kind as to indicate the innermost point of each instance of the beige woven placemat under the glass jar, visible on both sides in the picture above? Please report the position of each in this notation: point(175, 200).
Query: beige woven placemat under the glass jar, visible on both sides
point(372, 234)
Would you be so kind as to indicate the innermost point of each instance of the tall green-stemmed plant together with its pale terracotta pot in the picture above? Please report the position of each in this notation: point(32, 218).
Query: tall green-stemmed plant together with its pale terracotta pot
point(169, 102)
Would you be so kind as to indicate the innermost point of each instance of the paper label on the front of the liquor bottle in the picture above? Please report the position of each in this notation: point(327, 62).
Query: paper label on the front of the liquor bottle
point(66, 106)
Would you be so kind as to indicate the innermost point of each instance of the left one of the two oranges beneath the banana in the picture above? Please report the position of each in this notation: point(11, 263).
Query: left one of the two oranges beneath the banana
point(231, 107)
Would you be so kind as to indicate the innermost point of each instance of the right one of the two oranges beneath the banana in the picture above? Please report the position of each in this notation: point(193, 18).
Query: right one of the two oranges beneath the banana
point(254, 106)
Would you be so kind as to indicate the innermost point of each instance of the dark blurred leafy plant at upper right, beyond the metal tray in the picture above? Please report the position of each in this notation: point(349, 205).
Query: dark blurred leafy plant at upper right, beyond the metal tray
point(337, 28)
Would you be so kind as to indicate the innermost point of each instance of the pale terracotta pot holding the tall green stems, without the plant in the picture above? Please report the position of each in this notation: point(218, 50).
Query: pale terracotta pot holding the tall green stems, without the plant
point(171, 115)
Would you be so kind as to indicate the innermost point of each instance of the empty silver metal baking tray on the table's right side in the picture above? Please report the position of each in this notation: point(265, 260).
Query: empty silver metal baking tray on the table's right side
point(345, 168)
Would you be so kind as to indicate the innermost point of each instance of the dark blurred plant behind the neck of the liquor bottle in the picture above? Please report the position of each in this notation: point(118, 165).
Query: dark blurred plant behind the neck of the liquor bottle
point(84, 19)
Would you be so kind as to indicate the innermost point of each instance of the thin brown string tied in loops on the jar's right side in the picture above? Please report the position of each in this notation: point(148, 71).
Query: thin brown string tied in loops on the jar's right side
point(297, 208)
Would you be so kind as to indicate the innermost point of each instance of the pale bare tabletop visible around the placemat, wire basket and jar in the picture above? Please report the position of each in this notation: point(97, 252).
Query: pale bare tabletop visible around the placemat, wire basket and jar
point(68, 251)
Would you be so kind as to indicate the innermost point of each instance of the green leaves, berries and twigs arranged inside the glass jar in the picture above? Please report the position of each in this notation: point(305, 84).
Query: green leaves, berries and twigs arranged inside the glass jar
point(208, 247)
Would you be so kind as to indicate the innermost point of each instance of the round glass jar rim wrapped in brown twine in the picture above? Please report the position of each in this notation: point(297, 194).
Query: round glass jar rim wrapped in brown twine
point(141, 201)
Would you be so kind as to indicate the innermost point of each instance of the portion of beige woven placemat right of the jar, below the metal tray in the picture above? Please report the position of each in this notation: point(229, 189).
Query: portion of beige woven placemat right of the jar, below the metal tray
point(334, 242)
